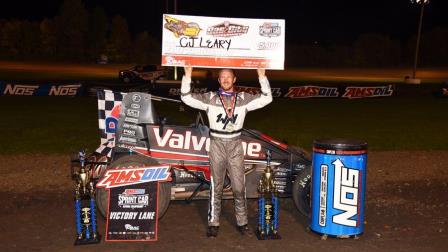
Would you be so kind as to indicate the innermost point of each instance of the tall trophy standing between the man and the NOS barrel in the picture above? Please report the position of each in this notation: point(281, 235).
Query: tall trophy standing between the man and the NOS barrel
point(267, 204)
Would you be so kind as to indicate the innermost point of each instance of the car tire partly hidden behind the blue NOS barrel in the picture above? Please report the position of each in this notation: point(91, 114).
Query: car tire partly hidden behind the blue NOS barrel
point(301, 191)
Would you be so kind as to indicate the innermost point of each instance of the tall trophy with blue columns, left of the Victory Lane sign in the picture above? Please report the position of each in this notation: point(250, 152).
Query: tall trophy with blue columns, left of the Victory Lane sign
point(86, 228)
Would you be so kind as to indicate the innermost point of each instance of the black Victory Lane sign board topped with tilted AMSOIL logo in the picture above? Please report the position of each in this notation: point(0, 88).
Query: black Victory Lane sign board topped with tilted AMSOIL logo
point(133, 195)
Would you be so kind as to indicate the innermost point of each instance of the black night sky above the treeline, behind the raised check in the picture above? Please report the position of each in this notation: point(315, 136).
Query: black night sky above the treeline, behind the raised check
point(306, 20)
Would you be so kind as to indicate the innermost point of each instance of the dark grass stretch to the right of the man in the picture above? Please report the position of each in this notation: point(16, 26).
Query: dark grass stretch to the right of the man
point(384, 123)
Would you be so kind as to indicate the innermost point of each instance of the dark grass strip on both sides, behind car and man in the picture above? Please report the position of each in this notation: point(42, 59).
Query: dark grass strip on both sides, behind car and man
point(64, 125)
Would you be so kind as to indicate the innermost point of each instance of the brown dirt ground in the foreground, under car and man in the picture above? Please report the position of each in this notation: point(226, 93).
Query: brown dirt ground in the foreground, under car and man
point(406, 210)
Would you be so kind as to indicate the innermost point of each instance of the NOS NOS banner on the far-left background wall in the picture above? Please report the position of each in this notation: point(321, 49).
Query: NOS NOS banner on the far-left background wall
point(69, 89)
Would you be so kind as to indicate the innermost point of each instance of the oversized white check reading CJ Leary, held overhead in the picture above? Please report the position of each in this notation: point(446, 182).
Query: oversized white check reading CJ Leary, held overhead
point(216, 42)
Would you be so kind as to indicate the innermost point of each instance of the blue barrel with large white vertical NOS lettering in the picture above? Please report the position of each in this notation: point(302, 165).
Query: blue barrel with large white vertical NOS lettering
point(338, 187)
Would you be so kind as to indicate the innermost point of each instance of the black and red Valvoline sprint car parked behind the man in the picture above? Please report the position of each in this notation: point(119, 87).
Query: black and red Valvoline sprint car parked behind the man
point(185, 149)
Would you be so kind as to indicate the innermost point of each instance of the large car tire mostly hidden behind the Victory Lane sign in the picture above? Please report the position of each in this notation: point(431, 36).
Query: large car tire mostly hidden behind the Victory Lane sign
point(102, 195)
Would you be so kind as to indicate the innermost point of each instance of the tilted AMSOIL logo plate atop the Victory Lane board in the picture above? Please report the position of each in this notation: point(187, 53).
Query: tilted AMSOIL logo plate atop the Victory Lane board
point(131, 176)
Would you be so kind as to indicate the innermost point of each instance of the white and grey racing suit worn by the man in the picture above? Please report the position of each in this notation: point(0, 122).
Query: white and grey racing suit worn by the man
point(226, 150)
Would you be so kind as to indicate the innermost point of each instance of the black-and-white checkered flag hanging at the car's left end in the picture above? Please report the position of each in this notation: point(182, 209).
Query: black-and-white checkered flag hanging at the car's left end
point(108, 101)
